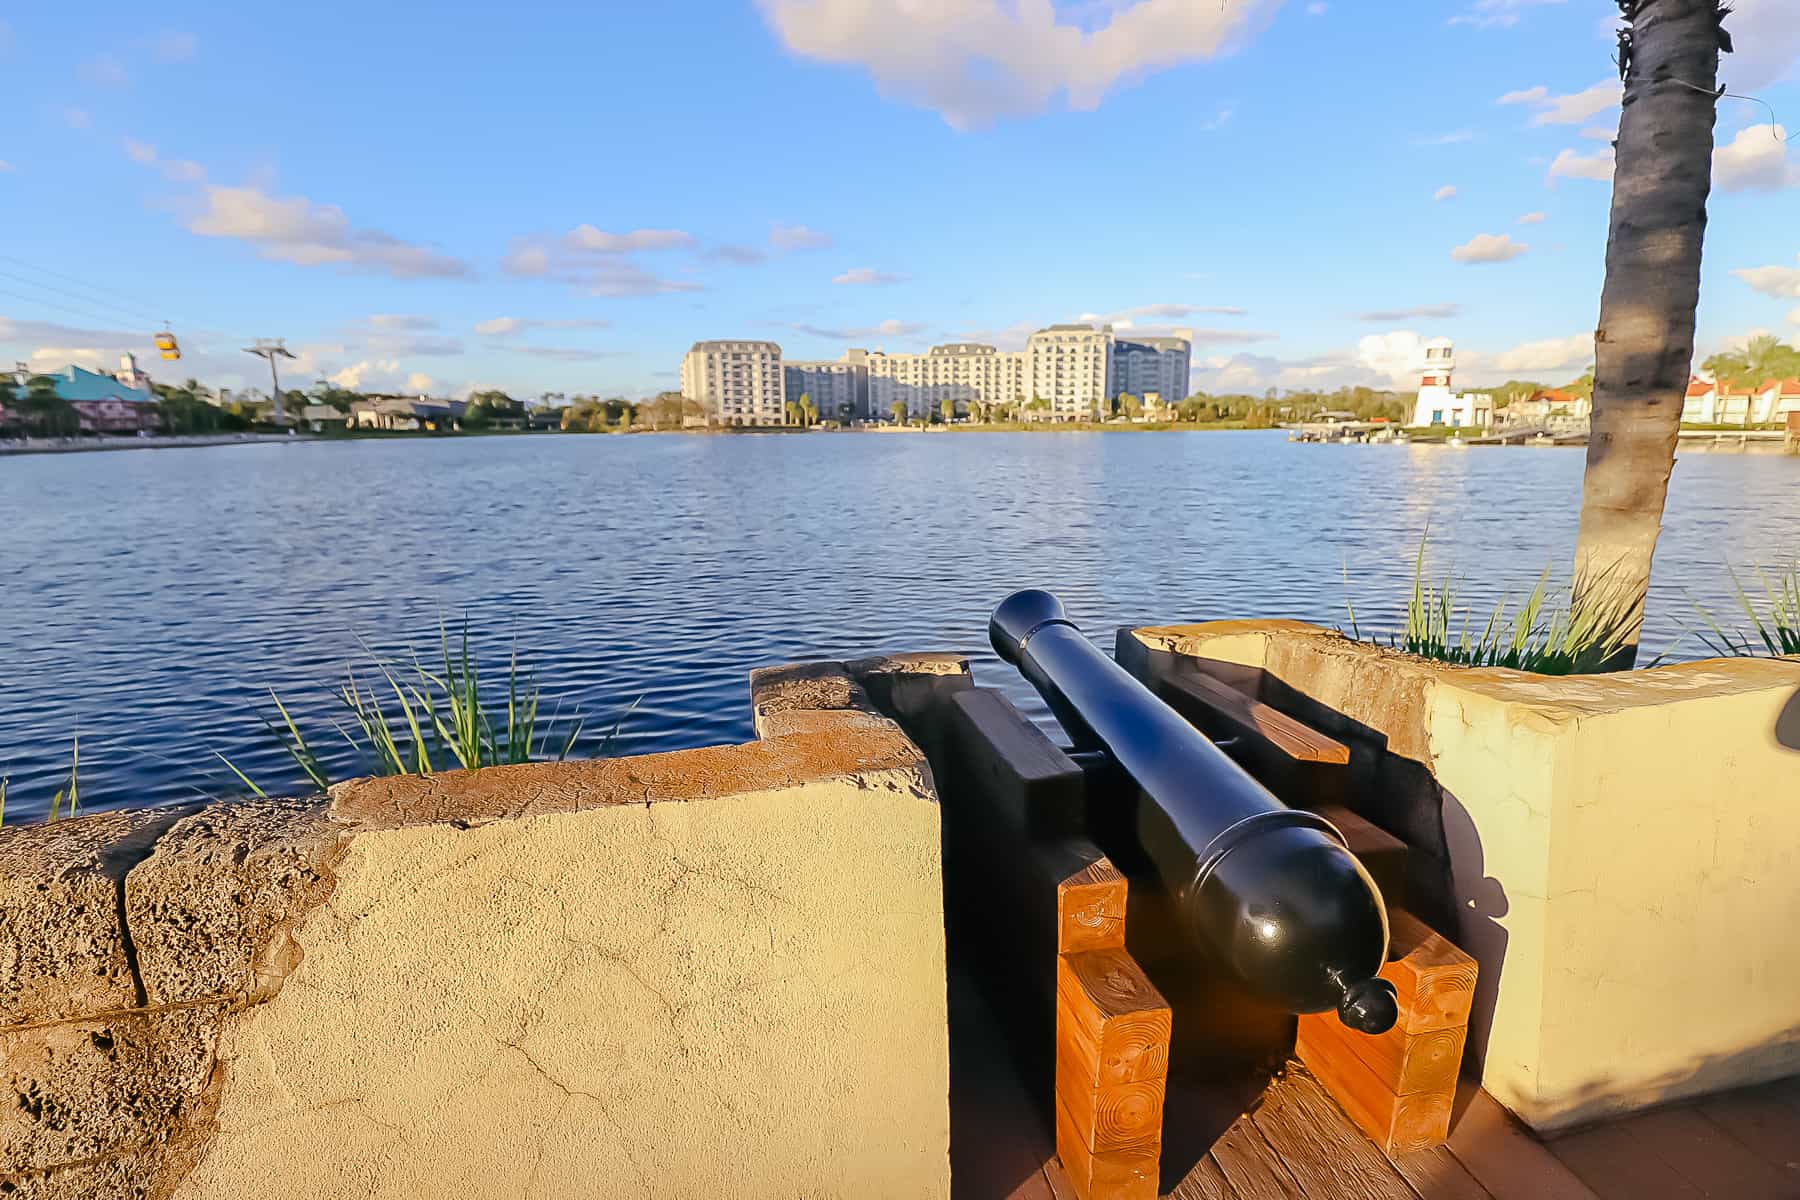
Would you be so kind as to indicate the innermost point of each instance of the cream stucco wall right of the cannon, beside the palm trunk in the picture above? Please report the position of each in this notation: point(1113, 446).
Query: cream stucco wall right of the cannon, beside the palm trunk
point(1624, 854)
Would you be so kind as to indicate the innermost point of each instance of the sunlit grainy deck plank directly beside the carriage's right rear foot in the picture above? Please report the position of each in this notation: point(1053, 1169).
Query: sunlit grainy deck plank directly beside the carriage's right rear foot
point(1322, 1149)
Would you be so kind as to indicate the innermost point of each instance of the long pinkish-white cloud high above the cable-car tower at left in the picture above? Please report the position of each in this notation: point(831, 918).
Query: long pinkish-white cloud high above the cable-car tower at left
point(294, 229)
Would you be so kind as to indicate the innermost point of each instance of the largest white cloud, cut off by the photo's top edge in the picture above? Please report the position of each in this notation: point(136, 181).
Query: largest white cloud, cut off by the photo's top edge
point(978, 60)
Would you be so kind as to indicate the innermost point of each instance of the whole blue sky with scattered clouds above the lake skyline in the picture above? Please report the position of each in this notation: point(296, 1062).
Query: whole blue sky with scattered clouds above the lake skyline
point(566, 197)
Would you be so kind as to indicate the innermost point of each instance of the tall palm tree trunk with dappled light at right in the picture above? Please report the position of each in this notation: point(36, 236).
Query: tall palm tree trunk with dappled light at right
point(1644, 348)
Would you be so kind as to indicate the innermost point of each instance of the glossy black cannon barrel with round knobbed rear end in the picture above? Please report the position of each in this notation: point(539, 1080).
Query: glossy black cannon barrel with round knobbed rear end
point(1272, 890)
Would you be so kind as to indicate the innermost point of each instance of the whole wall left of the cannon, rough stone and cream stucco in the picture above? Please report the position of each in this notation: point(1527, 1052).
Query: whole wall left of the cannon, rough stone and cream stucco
point(714, 972)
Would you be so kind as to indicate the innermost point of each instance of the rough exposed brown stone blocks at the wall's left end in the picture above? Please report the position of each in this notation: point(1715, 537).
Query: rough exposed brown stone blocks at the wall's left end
point(127, 942)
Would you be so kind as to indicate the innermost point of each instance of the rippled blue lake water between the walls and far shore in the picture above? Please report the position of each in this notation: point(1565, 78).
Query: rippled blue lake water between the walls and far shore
point(154, 598)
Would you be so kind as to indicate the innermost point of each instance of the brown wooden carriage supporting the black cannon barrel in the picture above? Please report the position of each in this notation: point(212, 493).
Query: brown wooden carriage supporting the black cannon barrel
point(1135, 1050)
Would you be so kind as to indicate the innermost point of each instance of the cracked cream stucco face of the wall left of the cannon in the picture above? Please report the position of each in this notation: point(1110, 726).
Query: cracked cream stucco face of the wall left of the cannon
point(737, 996)
